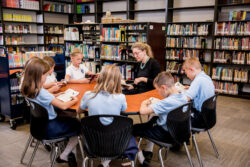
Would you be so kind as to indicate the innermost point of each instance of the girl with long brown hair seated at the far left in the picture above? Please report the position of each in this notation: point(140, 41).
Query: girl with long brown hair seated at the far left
point(35, 74)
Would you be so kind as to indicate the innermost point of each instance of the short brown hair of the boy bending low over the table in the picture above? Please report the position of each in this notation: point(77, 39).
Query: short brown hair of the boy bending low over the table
point(164, 78)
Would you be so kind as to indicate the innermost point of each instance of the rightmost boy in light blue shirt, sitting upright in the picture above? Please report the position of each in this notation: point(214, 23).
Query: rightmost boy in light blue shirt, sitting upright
point(201, 88)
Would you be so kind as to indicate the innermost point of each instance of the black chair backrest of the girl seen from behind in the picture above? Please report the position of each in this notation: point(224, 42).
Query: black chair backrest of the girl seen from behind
point(106, 141)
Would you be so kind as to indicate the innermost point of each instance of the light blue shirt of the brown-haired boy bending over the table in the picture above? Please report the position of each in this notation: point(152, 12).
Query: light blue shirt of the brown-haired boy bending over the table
point(166, 105)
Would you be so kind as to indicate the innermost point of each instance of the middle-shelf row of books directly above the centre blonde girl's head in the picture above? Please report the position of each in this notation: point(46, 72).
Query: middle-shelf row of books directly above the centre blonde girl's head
point(114, 52)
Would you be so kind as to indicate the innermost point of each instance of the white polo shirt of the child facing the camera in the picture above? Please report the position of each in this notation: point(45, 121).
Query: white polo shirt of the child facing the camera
point(76, 73)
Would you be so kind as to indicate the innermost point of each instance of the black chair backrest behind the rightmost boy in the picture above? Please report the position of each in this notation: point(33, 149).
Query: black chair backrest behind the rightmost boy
point(208, 111)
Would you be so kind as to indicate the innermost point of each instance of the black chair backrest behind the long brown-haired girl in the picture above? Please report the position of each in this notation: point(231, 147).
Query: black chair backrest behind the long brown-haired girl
point(38, 120)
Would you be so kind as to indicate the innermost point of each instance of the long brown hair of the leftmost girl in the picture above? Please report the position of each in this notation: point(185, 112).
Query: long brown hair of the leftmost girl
point(33, 72)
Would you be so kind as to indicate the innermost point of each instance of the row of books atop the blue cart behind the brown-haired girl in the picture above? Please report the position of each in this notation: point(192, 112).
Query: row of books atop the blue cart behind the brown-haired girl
point(19, 59)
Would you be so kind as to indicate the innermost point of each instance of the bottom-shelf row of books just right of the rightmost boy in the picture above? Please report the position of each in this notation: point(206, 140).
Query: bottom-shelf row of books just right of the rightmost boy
point(226, 88)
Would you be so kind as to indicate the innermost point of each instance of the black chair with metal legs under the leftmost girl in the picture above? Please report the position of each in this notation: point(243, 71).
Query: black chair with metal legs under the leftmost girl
point(38, 124)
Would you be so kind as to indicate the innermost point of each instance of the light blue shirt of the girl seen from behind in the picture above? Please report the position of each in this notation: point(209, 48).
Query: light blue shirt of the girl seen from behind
point(104, 103)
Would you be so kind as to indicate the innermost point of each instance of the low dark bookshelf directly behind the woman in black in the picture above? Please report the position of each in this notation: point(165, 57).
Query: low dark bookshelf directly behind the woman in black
point(117, 39)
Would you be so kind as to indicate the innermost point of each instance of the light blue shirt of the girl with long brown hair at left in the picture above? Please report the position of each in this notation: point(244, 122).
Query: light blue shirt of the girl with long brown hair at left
point(44, 98)
